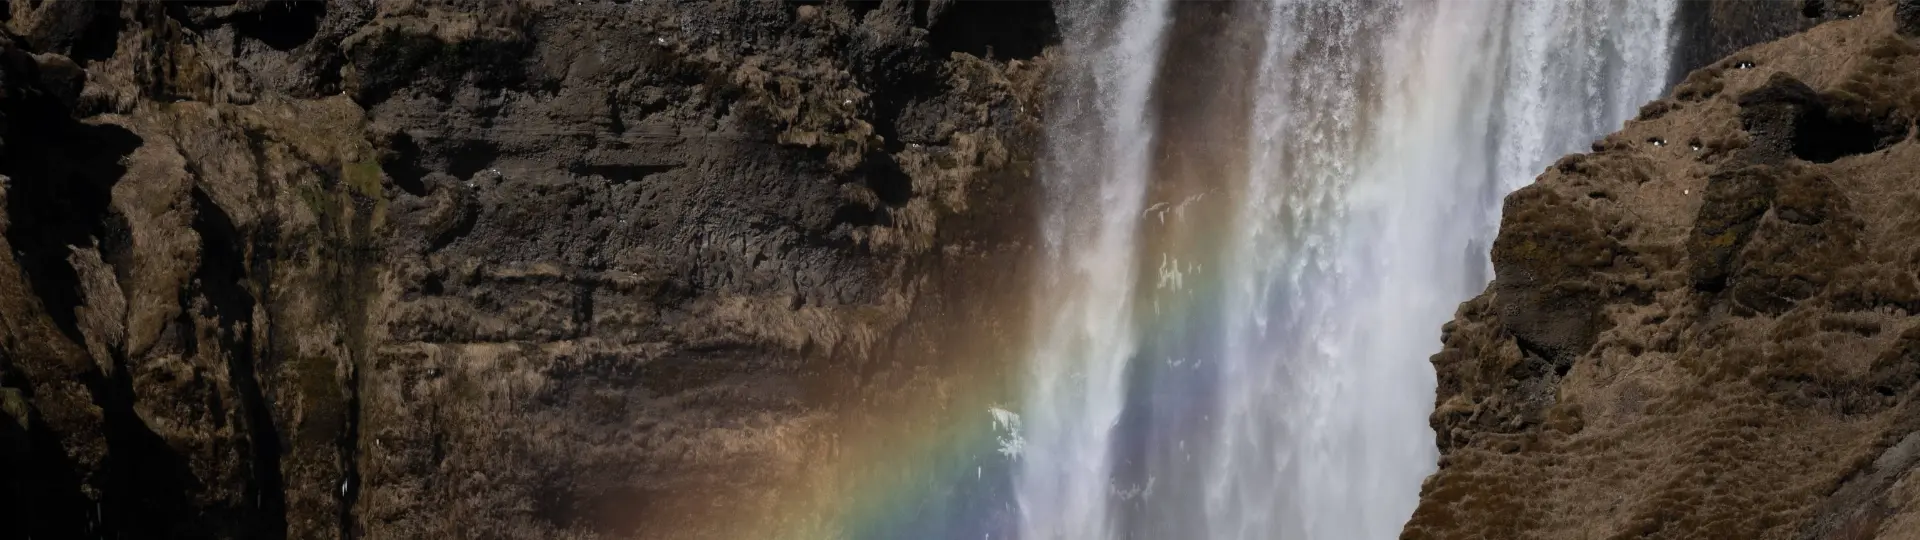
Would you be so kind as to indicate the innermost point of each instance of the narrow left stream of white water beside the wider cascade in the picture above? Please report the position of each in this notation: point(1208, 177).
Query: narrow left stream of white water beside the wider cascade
point(1101, 134)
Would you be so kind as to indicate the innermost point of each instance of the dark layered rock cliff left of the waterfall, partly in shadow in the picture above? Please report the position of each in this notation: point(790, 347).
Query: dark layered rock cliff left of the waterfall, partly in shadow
point(485, 270)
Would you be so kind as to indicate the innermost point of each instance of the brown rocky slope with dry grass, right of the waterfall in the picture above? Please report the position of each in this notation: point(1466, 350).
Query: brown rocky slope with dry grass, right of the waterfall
point(1708, 328)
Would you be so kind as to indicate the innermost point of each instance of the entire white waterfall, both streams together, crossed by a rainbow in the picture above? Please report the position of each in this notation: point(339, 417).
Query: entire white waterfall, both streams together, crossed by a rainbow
point(1260, 212)
